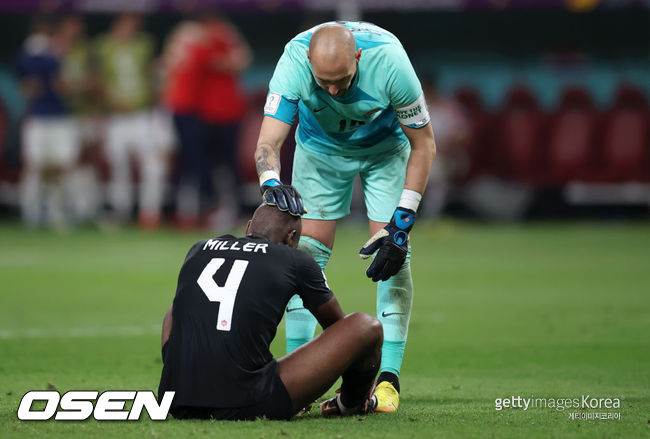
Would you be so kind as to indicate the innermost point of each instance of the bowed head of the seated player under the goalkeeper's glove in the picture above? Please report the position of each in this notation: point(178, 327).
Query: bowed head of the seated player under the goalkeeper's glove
point(271, 223)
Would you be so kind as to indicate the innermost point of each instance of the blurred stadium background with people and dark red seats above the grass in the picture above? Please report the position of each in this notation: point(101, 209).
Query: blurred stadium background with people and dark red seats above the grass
point(119, 112)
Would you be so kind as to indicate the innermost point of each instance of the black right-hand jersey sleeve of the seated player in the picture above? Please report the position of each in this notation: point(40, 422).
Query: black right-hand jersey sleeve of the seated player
point(311, 282)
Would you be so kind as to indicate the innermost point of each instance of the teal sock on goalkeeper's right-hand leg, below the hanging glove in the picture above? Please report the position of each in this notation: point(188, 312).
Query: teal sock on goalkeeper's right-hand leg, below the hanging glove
point(394, 303)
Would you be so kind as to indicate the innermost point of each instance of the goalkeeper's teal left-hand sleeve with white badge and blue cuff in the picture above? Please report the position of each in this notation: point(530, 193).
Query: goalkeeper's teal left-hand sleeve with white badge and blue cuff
point(284, 88)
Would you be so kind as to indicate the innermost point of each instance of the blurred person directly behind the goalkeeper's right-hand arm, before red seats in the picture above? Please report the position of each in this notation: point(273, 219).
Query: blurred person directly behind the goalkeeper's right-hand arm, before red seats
point(452, 132)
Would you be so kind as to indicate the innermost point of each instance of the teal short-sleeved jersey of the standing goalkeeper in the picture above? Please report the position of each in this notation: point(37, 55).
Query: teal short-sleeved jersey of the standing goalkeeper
point(366, 119)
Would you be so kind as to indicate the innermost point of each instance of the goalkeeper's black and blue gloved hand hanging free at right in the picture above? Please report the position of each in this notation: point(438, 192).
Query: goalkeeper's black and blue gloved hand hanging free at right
point(392, 243)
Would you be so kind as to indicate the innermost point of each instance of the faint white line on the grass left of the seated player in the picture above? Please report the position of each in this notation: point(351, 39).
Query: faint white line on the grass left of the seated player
point(10, 334)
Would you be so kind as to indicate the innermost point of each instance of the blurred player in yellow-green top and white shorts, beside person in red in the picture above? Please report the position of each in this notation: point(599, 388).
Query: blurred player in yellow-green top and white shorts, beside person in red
point(124, 58)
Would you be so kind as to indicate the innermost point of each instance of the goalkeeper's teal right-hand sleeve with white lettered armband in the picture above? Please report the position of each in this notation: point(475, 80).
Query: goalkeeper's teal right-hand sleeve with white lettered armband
point(405, 91)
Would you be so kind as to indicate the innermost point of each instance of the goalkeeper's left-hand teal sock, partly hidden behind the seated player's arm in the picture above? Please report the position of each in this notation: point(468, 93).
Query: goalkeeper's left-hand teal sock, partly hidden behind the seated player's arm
point(300, 323)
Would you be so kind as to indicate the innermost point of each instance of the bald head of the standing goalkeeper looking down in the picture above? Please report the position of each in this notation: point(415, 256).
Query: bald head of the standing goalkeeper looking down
point(333, 54)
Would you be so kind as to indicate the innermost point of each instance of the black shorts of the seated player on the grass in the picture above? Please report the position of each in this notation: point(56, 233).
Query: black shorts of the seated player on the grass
point(277, 406)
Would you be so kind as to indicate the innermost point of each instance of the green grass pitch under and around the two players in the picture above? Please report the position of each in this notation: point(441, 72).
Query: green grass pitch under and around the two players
point(537, 310)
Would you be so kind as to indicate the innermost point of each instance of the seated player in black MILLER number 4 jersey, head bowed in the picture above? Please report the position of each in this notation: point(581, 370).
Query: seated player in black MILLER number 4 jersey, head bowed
point(231, 295)
